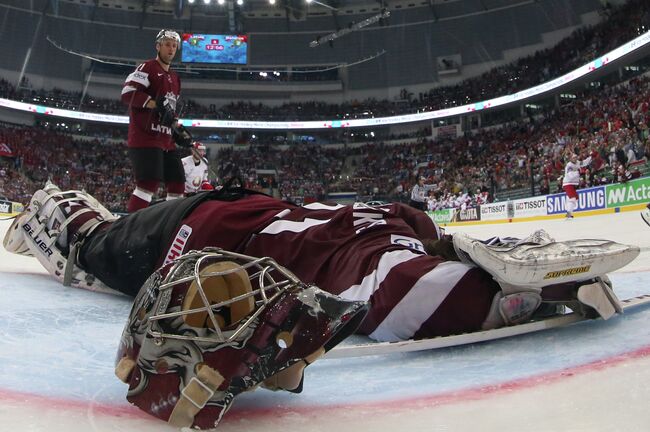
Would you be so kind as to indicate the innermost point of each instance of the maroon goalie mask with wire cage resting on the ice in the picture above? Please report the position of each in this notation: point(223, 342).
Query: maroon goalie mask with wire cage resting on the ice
point(213, 324)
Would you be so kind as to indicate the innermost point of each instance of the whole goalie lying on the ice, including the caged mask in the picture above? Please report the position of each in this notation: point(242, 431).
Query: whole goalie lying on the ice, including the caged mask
point(209, 324)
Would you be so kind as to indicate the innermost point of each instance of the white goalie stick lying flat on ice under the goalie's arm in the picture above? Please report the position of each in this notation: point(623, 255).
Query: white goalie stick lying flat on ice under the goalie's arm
point(381, 348)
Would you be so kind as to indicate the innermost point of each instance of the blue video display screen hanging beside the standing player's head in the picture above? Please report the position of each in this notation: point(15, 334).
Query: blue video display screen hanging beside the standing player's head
point(213, 48)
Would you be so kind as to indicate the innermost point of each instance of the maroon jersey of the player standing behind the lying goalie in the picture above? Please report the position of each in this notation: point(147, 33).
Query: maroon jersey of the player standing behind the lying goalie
point(149, 81)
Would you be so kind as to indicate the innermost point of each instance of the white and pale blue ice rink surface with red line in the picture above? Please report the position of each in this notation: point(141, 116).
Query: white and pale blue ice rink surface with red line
point(57, 348)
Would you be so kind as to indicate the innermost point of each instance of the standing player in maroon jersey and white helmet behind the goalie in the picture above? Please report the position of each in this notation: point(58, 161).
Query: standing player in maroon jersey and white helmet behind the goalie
point(151, 92)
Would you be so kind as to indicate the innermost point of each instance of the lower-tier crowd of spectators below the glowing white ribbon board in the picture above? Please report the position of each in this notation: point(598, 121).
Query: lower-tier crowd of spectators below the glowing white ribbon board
point(610, 125)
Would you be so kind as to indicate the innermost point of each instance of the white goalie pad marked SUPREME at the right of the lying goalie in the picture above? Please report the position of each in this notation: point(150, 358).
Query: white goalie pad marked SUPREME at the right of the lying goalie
point(539, 265)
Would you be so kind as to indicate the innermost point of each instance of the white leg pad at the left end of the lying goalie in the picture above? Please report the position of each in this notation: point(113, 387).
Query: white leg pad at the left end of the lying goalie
point(42, 229)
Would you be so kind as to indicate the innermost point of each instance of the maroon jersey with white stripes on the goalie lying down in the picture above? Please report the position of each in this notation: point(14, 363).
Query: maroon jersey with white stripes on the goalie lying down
point(358, 252)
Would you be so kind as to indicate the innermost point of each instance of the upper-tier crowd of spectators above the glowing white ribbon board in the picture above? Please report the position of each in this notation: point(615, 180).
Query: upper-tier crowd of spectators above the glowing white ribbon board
point(620, 24)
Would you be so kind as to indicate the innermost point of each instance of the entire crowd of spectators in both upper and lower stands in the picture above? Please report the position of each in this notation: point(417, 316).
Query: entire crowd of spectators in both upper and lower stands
point(610, 124)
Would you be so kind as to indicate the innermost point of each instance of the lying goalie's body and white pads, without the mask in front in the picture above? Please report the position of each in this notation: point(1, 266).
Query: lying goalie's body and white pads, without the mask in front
point(419, 282)
